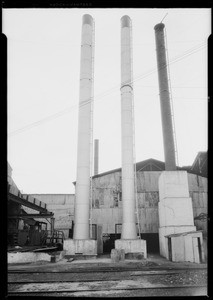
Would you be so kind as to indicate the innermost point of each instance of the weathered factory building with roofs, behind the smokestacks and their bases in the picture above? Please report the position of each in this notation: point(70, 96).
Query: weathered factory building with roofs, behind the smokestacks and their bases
point(107, 202)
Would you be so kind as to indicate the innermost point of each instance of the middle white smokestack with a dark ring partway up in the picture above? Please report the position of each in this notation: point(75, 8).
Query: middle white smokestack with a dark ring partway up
point(128, 192)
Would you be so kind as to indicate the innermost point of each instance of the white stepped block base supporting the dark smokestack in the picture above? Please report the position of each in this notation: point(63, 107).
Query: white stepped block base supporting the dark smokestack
point(175, 207)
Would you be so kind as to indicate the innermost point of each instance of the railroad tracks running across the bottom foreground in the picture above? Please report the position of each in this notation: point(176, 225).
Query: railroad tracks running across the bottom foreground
point(116, 283)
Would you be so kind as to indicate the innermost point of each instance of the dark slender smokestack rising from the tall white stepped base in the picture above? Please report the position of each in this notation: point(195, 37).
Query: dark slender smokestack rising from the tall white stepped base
point(166, 116)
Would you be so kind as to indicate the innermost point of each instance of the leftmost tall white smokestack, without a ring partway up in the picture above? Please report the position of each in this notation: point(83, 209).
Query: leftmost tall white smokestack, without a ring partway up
point(82, 200)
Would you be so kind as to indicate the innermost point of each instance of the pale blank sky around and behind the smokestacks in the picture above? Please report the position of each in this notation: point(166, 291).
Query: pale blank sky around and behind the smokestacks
point(43, 89)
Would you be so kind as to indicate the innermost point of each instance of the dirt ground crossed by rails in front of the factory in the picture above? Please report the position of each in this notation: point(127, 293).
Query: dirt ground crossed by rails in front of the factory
point(154, 276)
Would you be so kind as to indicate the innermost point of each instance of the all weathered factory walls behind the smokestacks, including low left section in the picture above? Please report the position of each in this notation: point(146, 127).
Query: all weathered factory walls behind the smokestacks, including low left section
point(107, 202)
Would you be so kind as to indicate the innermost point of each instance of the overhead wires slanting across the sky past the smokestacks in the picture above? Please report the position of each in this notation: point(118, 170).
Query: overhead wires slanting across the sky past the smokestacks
point(178, 58)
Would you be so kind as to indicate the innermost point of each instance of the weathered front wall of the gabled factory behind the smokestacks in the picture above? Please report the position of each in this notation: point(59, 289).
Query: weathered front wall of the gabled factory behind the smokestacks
point(107, 200)
